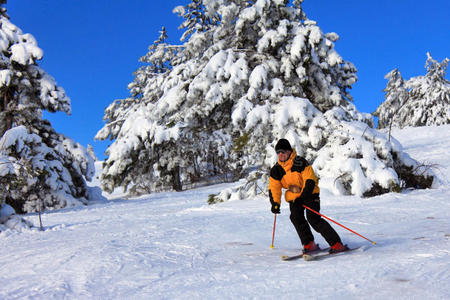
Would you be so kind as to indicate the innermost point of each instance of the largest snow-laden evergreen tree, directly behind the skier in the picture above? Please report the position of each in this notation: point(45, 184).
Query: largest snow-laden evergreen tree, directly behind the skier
point(262, 72)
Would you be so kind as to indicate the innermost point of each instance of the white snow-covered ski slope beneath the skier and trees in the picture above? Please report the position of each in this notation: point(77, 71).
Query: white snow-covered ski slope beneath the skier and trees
point(175, 246)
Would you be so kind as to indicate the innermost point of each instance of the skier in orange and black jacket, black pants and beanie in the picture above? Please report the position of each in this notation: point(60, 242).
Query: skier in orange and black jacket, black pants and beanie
point(294, 174)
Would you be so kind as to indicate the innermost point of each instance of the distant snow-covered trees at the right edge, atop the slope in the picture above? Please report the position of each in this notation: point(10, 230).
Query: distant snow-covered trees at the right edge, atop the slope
point(421, 101)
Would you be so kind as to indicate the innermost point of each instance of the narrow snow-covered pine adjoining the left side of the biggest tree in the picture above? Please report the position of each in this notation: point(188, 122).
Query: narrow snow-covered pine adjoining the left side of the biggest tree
point(130, 159)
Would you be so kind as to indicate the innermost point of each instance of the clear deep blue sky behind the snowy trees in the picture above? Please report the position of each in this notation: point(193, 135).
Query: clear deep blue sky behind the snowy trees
point(92, 48)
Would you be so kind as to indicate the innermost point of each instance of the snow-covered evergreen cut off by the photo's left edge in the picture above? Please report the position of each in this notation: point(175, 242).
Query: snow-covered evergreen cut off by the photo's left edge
point(39, 167)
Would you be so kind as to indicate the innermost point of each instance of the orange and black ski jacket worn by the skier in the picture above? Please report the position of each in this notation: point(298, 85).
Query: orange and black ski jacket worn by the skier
point(292, 176)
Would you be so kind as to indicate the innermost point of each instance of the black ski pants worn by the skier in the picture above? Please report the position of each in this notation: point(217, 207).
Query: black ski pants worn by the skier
point(317, 222)
